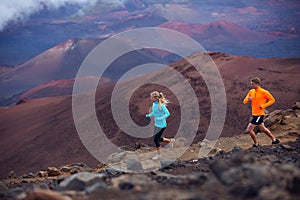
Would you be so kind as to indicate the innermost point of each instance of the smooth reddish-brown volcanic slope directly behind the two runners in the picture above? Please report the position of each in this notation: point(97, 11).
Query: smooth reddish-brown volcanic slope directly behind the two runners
point(40, 132)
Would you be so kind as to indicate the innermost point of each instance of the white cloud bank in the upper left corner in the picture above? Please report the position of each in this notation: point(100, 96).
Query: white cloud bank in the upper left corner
point(20, 10)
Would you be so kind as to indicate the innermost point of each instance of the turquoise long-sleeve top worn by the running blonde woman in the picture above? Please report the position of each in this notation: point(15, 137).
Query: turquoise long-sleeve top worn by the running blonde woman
point(160, 115)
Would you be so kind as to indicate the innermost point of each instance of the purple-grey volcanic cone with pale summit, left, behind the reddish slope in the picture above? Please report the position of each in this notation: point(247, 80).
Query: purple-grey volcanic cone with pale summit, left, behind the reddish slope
point(61, 63)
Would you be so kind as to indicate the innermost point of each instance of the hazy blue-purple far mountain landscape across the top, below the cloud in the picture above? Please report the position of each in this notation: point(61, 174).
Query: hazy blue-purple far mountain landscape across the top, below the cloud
point(257, 20)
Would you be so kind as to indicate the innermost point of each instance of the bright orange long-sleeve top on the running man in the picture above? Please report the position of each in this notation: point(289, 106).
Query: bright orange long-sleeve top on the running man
point(260, 97)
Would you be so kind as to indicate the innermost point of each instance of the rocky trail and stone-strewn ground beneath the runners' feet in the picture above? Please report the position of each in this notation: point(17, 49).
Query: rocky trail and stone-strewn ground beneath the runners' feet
point(232, 170)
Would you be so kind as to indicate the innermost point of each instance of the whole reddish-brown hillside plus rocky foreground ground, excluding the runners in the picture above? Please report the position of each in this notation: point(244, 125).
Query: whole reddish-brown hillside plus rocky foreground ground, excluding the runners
point(42, 156)
